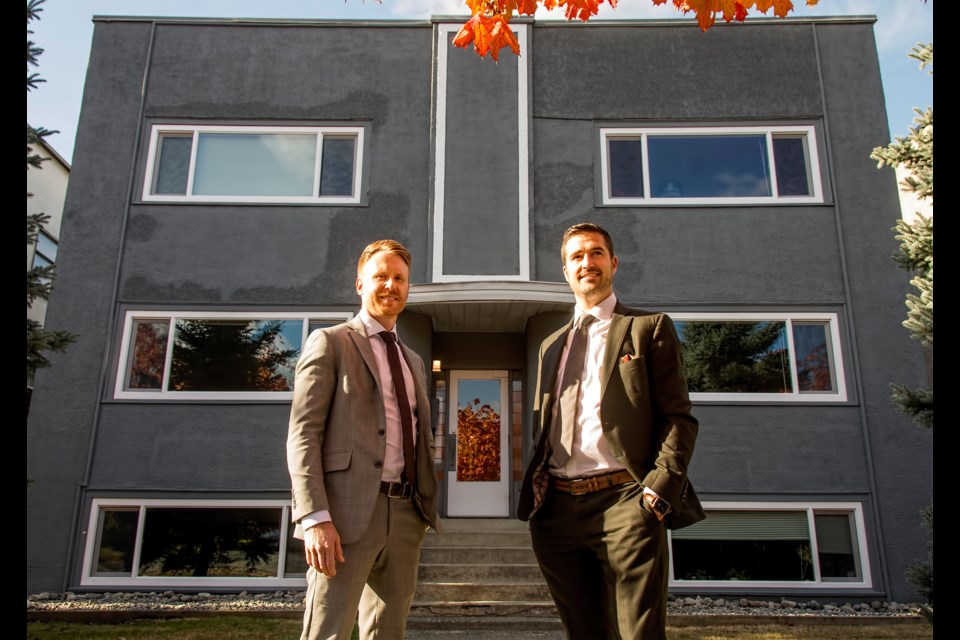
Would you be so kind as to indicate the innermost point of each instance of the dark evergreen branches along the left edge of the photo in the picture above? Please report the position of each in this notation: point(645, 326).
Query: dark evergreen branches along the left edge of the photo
point(39, 278)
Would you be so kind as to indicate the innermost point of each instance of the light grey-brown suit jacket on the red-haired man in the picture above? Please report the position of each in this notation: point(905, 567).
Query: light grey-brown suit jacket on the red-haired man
point(336, 442)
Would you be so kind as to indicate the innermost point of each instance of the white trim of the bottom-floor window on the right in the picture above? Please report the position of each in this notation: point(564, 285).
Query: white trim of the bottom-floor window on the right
point(860, 539)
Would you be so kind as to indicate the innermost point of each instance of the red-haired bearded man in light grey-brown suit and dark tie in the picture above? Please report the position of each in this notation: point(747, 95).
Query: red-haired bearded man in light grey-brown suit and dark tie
point(360, 454)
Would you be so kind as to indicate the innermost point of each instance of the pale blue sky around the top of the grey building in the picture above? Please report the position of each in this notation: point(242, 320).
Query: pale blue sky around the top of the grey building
point(65, 30)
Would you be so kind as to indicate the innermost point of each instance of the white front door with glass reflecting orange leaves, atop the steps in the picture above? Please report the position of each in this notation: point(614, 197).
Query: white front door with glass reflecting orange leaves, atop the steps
point(478, 472)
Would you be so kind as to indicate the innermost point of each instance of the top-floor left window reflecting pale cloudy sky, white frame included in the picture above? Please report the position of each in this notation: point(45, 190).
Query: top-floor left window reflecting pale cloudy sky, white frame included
point(310, 165)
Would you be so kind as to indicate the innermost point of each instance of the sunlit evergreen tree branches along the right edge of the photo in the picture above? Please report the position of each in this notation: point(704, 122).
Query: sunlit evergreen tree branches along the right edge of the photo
point(915, 254)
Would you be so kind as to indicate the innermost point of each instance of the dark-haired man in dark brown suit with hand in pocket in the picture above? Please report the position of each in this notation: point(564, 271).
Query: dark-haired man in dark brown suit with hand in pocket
point(608, 474)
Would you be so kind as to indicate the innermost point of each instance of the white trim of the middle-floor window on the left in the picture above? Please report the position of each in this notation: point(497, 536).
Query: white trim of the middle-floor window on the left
point(120, 393)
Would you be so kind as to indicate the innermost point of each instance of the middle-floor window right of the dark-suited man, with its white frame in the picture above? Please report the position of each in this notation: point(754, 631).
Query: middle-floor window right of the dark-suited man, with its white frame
point(767, 357)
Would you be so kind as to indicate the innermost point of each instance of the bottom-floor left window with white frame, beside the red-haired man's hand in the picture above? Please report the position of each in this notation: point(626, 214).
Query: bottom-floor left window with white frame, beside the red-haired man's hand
point(182, 543)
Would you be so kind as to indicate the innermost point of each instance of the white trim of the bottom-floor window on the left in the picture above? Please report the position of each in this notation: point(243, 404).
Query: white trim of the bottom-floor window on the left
point(90, 551)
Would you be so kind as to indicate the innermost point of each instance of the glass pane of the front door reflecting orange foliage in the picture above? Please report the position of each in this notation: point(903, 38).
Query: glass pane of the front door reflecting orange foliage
point(478, 431)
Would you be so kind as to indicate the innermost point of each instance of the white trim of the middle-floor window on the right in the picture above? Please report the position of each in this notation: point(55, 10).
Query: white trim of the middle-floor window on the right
point(840, 395)
